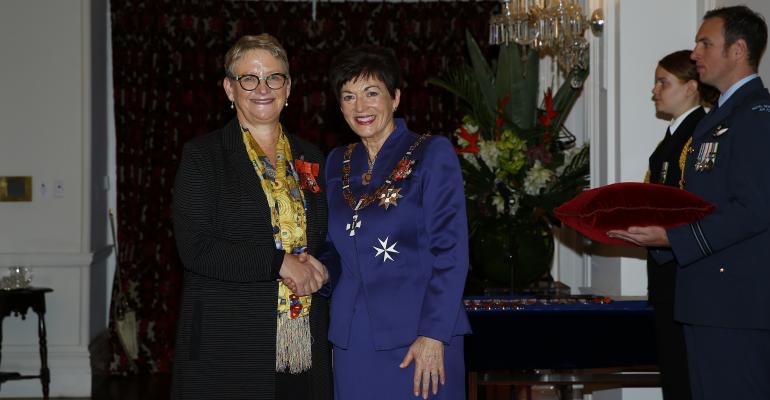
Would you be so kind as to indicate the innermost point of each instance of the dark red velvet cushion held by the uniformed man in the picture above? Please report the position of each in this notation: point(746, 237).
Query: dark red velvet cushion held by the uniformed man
point(621, 205)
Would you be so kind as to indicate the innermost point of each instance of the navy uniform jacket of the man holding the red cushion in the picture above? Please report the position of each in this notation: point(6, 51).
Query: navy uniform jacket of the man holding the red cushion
point(724, 273)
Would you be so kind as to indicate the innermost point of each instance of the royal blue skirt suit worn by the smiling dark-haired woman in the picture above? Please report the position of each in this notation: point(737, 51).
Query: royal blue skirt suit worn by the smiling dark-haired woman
point(403, 264)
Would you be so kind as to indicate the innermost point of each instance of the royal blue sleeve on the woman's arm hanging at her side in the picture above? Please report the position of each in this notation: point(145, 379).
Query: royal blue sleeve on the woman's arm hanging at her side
point(447, 236)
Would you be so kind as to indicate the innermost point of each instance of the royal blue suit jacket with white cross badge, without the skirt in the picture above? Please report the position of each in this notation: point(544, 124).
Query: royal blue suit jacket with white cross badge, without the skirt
point(409, 262)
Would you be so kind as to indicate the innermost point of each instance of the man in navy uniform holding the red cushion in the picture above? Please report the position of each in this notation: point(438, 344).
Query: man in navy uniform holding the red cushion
point(723, 285)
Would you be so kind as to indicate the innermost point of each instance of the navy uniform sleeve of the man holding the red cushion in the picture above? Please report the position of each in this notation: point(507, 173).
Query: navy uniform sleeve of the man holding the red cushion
point(743, 214)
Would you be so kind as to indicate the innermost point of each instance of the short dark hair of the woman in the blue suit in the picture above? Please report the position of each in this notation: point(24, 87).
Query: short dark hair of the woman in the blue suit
point(367, 61)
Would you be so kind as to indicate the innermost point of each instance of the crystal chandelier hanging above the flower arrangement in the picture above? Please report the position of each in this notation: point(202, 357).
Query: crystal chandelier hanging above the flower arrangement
point(550, 27)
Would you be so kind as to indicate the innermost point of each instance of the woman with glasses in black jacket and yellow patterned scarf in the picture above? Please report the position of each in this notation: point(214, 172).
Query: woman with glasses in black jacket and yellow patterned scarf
point(249, 210)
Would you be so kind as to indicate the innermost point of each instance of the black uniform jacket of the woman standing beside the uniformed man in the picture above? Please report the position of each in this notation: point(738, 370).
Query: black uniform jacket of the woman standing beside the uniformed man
point(664, 169)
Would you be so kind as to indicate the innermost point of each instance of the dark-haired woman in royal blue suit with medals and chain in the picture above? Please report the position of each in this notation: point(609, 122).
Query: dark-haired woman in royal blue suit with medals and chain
point(397, 219)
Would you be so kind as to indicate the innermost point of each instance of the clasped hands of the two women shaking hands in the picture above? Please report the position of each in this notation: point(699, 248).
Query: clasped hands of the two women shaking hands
point(303, 273)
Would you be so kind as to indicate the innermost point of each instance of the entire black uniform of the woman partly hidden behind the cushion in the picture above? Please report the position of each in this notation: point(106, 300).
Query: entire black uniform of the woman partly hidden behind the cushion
point(665, 167)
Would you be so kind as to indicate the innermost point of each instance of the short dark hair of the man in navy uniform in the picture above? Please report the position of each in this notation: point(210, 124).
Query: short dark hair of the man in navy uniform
point(741, 22)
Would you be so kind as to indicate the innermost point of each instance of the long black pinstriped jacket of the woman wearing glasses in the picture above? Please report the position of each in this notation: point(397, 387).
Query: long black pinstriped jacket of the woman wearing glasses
point(226, 330)
